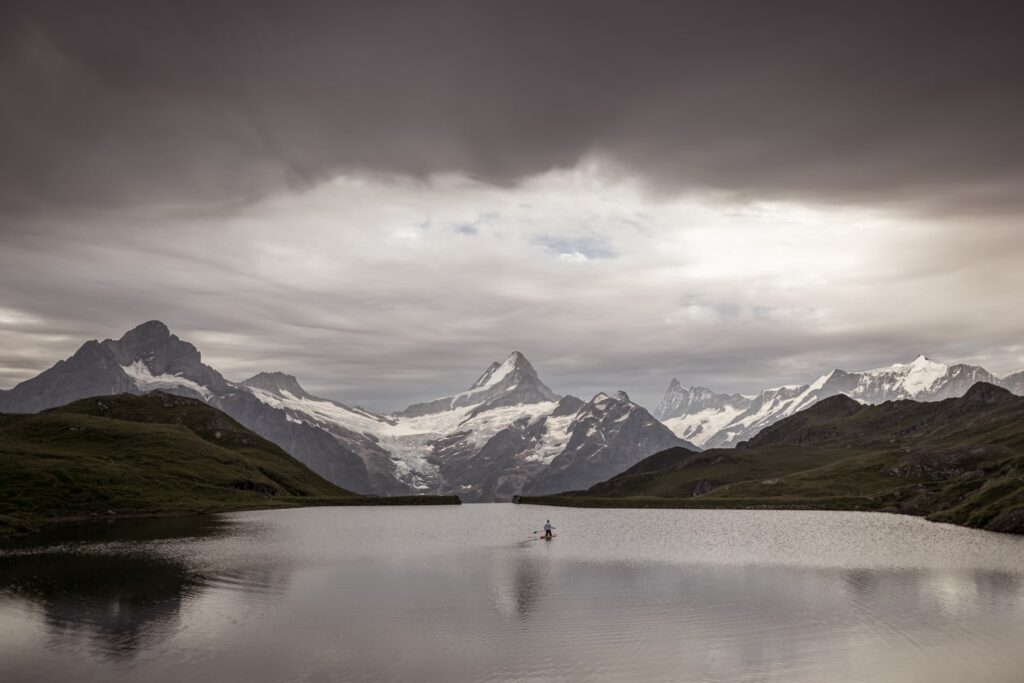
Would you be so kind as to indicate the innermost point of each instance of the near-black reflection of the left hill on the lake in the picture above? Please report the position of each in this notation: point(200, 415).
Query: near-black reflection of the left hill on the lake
point(98, 588)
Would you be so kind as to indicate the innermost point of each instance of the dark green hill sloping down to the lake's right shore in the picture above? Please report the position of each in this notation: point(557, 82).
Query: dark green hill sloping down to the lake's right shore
point(960, 461)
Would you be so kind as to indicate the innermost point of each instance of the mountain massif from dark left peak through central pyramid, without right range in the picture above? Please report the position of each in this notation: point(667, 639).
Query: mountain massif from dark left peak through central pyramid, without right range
point(508, 434)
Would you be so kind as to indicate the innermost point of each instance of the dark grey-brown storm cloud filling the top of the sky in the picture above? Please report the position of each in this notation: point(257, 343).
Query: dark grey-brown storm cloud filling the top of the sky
point(113, 104)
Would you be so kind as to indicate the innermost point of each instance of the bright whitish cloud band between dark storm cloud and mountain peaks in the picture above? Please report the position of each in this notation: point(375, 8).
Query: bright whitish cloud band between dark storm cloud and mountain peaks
point(363, 290)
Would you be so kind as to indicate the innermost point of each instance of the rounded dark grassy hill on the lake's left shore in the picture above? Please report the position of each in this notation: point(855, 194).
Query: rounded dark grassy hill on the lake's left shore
point(157, 454)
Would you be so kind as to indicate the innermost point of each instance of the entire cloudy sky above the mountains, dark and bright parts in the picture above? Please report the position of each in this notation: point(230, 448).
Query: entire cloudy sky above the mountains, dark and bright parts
point(383, 198)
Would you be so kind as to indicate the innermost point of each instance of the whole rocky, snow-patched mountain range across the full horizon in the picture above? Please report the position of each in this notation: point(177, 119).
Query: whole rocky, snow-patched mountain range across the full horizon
point(507, 434)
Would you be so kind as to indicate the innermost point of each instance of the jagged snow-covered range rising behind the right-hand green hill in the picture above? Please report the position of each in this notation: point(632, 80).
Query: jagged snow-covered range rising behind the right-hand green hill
point(713, 420)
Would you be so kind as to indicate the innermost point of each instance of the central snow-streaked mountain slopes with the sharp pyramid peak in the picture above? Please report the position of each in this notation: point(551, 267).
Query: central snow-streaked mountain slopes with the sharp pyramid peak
point(489, 442)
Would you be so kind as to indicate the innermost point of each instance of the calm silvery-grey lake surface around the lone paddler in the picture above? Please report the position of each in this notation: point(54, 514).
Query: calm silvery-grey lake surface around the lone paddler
point(463, 594)
